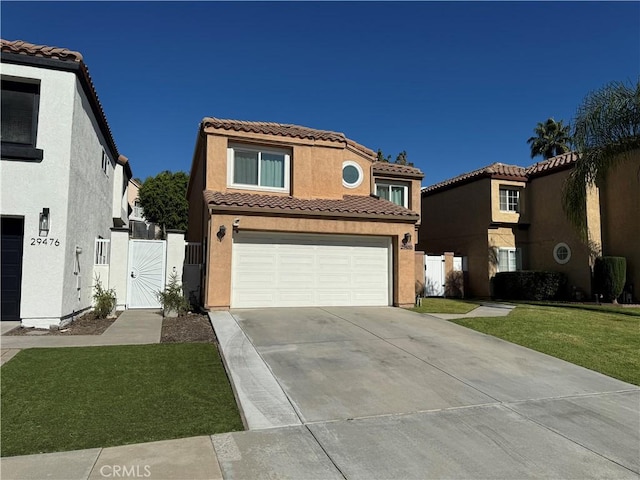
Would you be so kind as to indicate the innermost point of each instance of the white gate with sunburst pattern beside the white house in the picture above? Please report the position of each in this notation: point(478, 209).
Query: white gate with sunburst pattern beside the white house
point(146, 273)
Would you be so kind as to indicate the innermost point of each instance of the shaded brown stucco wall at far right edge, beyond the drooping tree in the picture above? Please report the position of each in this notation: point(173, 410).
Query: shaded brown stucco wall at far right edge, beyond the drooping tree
point(620, 214)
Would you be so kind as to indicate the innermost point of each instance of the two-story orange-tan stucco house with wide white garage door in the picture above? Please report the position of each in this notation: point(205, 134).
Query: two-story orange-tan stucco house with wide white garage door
point(293, 216)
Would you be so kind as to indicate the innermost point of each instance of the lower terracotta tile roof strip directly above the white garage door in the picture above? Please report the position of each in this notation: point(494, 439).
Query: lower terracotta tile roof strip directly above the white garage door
point(355, 205)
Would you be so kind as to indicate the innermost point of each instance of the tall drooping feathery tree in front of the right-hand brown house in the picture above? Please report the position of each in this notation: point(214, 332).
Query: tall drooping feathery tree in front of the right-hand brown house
point(606, 131)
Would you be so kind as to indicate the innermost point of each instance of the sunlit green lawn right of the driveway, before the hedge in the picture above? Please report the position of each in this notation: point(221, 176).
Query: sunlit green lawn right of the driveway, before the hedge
point(605, 341)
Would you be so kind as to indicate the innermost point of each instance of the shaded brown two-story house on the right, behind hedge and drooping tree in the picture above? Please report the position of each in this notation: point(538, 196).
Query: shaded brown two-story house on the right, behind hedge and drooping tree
point(505, 217)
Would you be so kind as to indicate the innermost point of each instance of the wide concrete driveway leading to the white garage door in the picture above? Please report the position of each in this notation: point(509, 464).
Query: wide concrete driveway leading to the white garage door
point(388, 393)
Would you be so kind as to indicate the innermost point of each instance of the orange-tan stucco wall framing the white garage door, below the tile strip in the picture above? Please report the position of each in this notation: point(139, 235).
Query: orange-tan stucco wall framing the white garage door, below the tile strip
point(218, 282)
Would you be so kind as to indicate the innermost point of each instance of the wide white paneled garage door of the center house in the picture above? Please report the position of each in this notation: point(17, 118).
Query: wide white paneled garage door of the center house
point(287, 270)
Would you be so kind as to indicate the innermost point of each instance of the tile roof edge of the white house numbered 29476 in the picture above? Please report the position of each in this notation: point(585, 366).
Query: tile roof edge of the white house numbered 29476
point(20, 47)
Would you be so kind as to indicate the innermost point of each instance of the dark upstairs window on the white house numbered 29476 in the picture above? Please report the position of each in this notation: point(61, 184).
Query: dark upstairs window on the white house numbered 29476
point(20, 102)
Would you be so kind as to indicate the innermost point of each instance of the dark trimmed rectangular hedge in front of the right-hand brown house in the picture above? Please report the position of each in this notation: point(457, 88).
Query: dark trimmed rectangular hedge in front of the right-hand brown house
point(528, 285)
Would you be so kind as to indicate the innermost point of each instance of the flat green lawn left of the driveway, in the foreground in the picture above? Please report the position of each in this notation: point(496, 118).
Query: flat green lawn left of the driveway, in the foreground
point(74, 398)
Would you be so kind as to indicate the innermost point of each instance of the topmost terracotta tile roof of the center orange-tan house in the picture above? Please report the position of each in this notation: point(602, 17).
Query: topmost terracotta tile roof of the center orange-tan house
point(283, 130)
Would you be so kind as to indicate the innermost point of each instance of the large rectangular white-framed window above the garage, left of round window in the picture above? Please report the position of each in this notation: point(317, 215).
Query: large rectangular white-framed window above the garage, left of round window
point(258, 168)
